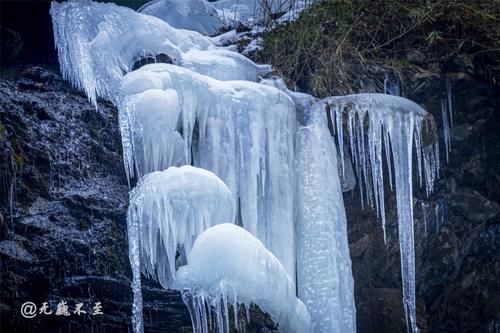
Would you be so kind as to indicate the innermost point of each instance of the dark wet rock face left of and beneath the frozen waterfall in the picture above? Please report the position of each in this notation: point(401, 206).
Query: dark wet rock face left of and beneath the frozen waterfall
point(63, 238)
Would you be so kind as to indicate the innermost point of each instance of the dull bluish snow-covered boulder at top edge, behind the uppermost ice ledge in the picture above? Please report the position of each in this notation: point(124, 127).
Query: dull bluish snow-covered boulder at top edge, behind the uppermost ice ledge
point(196, 15)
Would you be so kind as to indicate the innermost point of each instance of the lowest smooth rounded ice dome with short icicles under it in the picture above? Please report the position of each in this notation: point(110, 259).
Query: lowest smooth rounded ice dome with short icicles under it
point(248, 273)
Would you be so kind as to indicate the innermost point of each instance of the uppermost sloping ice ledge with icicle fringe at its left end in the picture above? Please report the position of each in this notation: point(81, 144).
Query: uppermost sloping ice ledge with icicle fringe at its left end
point(98, 43)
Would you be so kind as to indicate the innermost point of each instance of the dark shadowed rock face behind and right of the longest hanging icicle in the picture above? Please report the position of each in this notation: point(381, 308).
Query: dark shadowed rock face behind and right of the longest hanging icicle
point(457, 229)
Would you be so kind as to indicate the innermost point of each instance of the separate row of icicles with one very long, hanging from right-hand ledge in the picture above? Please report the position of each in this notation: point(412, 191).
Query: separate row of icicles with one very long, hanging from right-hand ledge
point(378, 122)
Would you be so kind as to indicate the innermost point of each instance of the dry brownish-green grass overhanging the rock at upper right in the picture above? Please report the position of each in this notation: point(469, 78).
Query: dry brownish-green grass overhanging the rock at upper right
point(341, 46)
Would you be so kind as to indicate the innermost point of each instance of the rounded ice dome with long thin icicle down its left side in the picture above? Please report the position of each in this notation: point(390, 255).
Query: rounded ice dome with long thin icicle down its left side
point(167, 211)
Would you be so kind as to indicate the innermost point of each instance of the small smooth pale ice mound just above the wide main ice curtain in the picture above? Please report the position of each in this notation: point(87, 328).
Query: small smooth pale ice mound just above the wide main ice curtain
point(224, 65)
